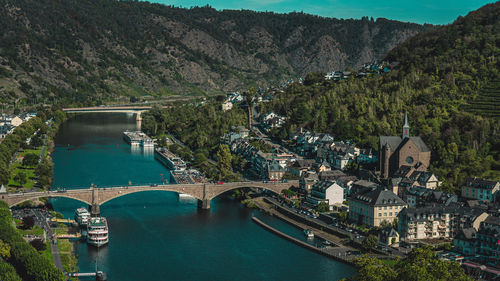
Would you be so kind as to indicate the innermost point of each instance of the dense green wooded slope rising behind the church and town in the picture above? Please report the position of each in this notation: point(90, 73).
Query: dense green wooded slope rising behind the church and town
point(440, 73)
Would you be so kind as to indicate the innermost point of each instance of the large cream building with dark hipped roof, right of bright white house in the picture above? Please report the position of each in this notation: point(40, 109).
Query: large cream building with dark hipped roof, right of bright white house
point(373, 207)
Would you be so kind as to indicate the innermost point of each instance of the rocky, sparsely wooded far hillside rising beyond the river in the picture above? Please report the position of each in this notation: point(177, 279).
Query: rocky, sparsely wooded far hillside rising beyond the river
point(87, 51)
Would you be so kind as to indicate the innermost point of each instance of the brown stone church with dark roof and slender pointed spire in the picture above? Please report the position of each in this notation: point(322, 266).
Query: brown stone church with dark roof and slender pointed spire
point(395, 151)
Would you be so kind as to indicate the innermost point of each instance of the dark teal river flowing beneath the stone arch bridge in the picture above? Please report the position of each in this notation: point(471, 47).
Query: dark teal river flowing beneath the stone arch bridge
point(156, 236)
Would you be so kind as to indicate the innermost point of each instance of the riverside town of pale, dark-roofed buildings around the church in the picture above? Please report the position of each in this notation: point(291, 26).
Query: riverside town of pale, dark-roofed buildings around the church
point(396, 198)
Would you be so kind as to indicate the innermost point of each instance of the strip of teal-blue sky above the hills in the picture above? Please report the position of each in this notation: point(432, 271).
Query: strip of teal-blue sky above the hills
point(419, 11)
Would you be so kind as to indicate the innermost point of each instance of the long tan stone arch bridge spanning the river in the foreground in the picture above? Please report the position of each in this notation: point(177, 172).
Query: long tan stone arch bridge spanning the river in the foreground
point(94, 196)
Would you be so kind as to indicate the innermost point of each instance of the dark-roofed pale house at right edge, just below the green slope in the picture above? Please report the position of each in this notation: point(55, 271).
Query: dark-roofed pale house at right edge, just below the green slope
point(480, 189)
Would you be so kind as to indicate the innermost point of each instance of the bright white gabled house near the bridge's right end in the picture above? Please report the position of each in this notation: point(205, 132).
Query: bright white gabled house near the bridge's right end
point(326, 191)
